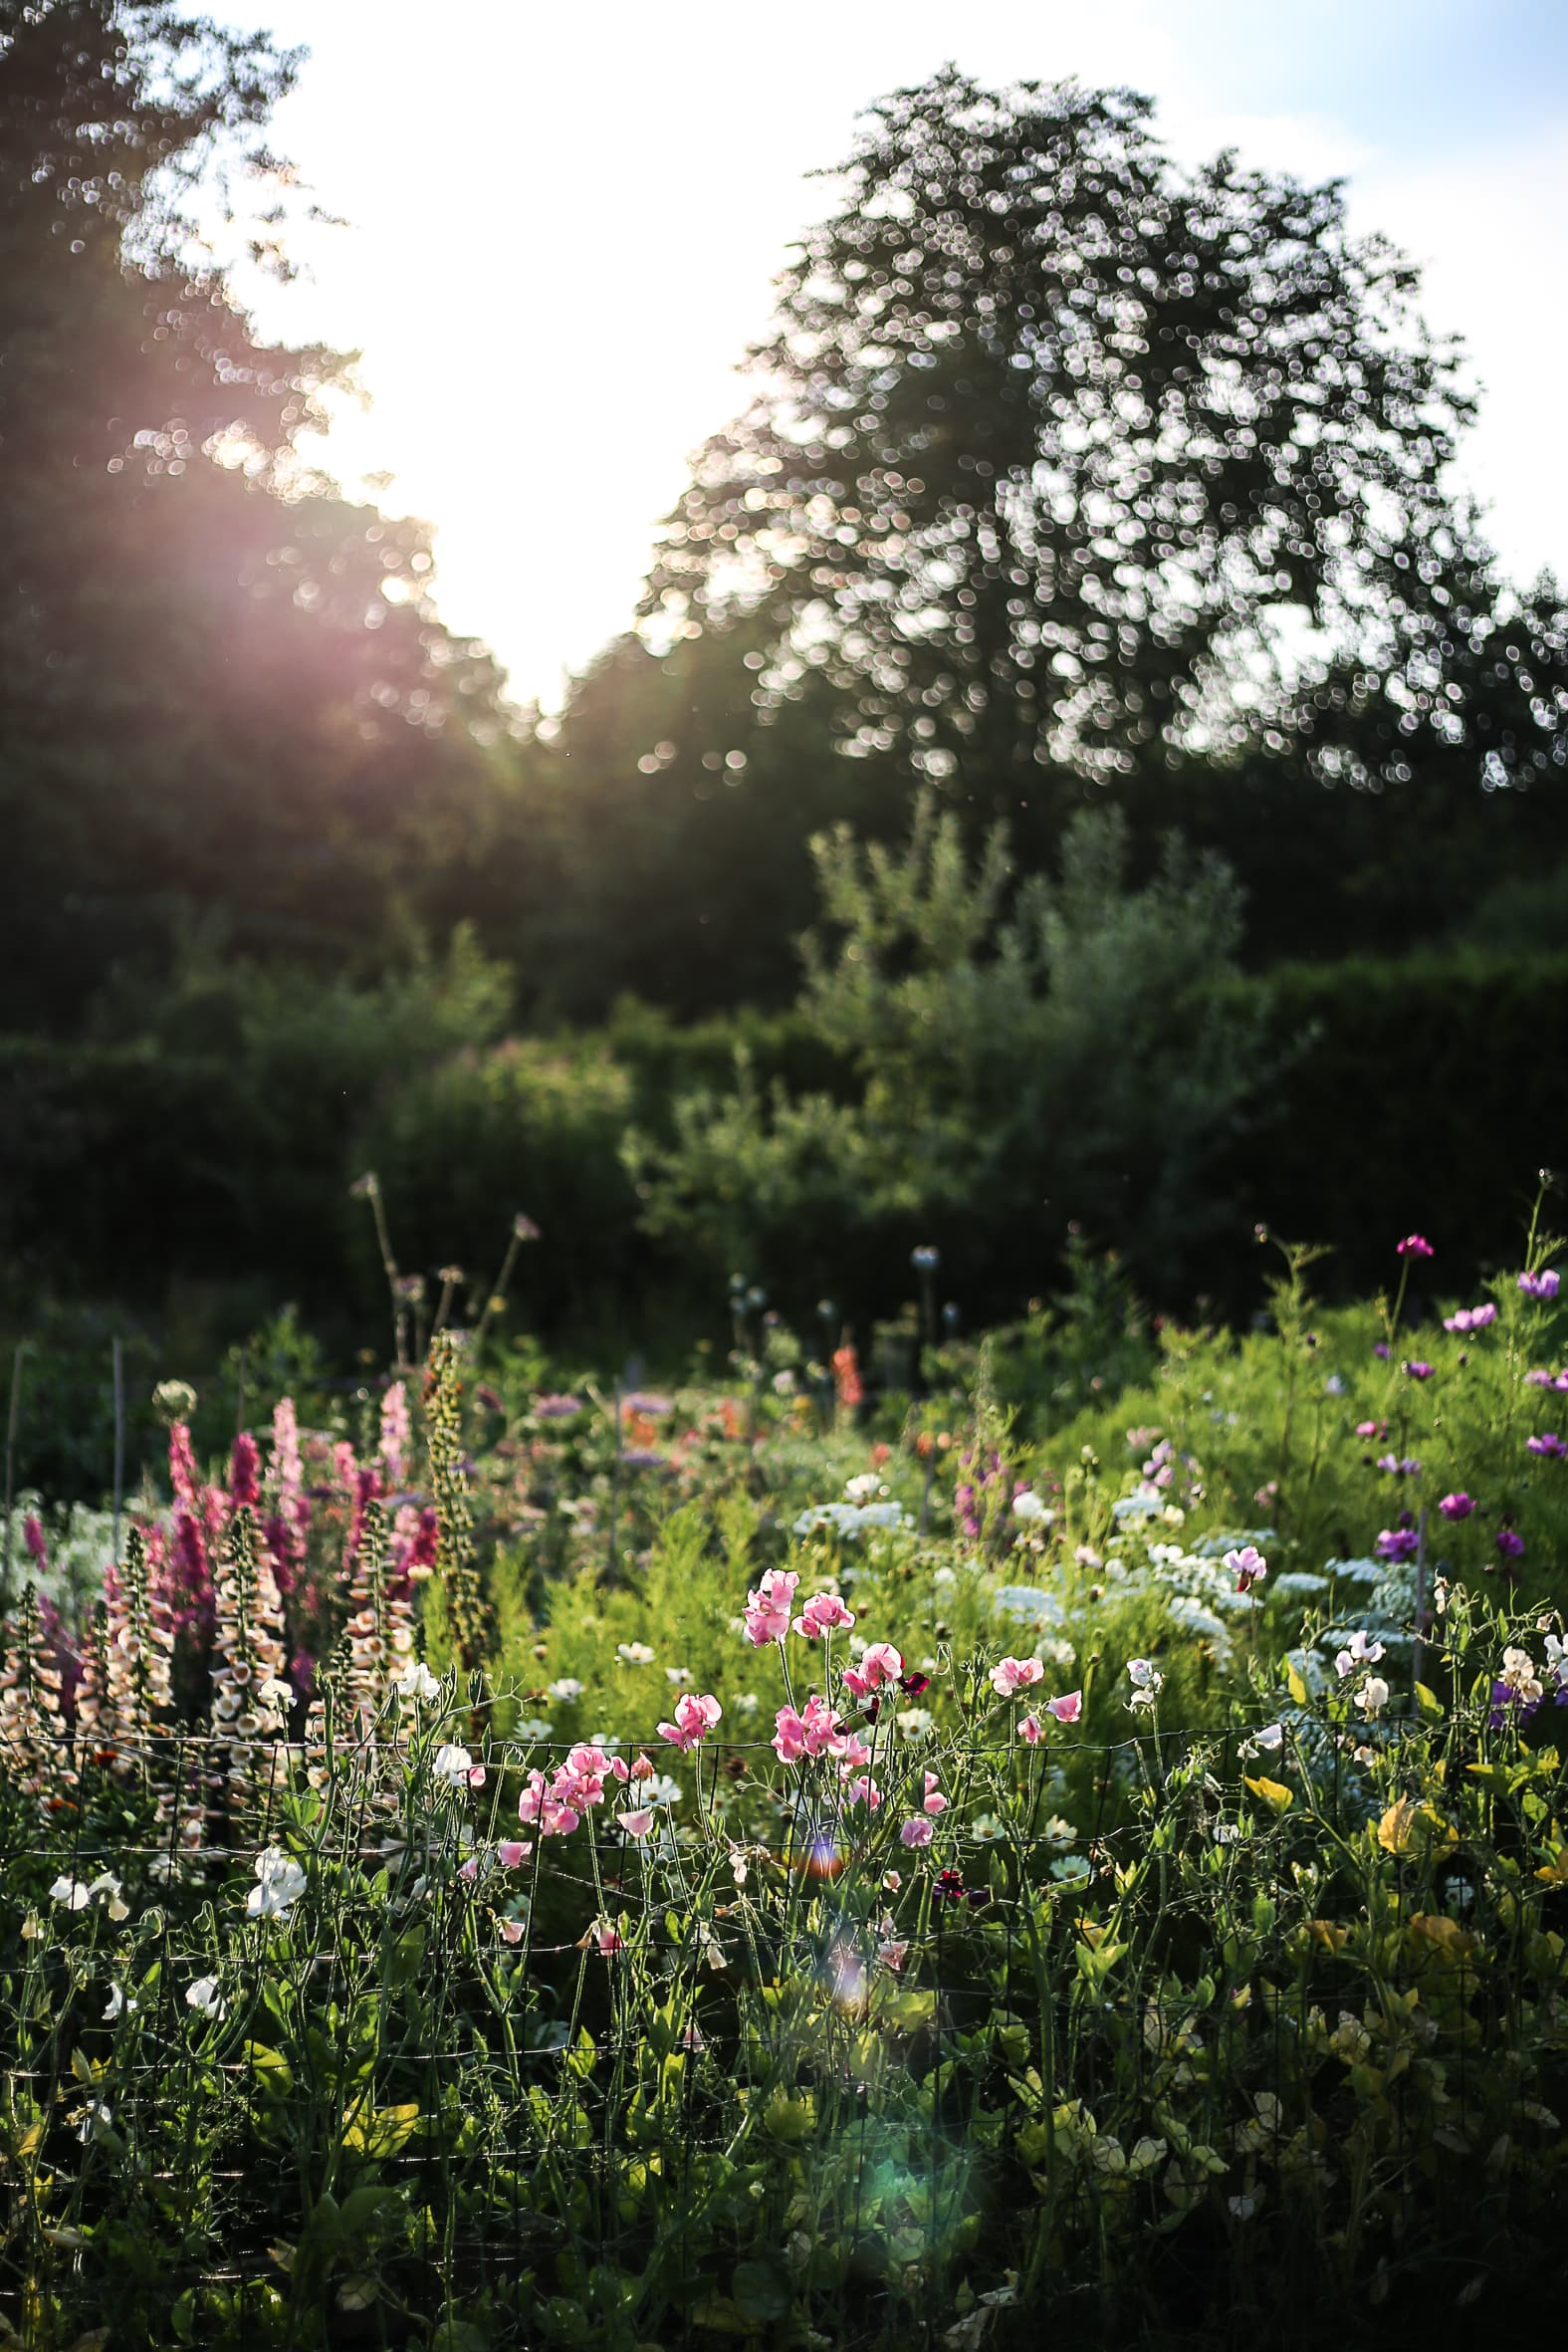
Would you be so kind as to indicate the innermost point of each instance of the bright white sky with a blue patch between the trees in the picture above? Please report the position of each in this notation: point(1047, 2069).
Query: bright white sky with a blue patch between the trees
point(565, 225)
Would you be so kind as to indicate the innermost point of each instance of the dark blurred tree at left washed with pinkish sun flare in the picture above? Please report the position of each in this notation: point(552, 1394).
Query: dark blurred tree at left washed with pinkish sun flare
point(222, 686)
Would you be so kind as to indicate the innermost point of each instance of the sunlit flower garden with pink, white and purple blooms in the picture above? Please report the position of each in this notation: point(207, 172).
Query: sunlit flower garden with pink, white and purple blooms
point(1052, 1831)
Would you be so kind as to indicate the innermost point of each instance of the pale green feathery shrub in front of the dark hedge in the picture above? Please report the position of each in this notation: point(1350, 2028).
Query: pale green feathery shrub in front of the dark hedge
point(1064, 1053)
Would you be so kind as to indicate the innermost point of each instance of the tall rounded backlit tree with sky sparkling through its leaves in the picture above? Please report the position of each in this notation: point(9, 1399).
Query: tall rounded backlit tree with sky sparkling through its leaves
point(1066, 457)
